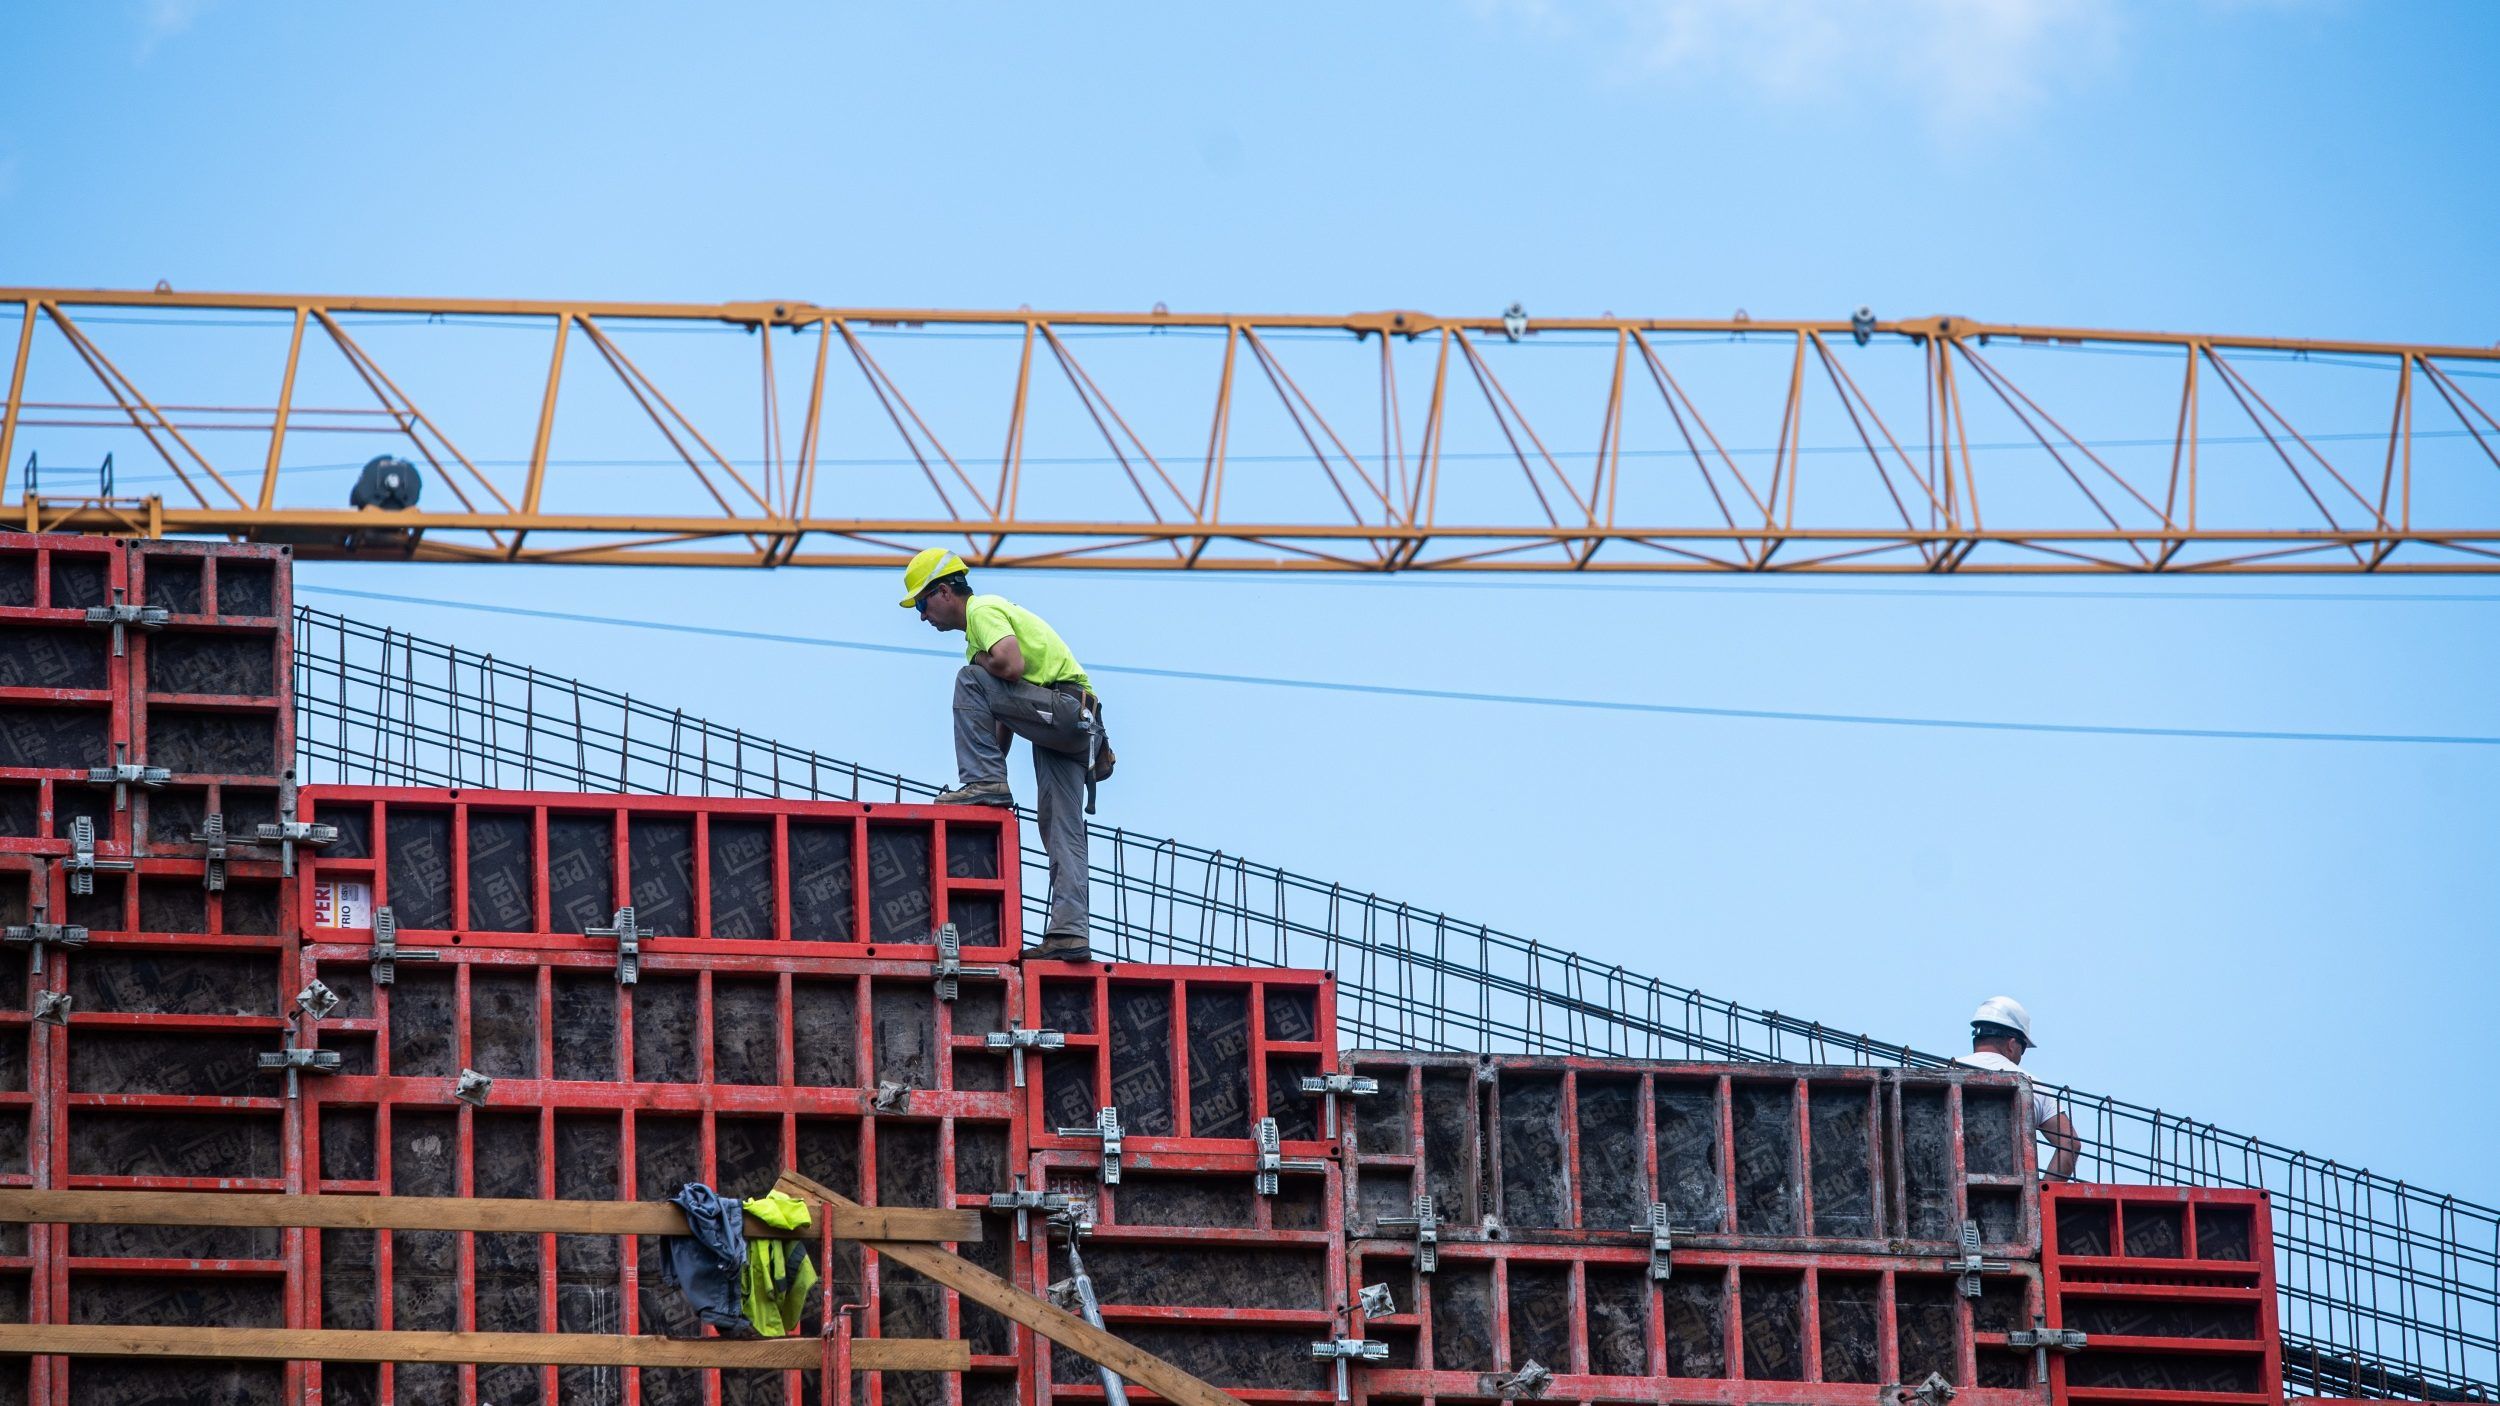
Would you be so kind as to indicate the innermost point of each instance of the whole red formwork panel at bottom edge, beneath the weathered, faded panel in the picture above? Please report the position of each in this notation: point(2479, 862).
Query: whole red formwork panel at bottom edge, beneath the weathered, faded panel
point(1739, 1327)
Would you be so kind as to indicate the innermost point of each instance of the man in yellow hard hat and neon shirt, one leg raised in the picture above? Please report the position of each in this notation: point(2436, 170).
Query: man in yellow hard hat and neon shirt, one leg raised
point(1021, 682)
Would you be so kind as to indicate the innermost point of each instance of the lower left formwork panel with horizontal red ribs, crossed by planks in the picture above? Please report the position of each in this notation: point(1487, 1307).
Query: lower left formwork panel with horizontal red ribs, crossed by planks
point(151, 1080)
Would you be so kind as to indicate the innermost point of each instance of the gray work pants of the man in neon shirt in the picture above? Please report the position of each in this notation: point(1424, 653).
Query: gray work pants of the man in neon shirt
point(1054, 722)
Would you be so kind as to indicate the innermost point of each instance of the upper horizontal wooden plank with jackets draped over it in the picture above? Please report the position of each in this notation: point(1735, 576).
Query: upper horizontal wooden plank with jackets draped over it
point(451, 1215)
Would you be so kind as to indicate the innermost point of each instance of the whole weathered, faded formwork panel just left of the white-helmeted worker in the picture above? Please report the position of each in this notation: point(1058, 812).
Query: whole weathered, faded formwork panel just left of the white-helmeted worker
point(1744, 1157)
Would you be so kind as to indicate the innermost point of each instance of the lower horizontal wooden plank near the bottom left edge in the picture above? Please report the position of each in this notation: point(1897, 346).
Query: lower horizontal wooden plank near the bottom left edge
point(521, 1350)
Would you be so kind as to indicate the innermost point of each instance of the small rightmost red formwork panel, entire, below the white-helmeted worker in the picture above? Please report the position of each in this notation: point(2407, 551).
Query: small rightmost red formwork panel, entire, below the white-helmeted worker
point(2174, 1290)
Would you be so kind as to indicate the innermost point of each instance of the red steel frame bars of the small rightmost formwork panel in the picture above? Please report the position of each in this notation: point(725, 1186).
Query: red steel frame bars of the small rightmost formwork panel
point(2166, 1280)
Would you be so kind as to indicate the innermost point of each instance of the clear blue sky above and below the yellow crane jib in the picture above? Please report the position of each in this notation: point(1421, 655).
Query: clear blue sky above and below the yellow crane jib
point(2281, 937)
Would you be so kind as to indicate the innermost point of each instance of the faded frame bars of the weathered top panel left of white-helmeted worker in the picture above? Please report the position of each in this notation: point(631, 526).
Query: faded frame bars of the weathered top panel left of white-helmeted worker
point(1884, 1090)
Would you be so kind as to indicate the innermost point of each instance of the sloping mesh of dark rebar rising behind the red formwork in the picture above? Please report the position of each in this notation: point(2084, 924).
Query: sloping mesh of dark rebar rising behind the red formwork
point(2389, 1290)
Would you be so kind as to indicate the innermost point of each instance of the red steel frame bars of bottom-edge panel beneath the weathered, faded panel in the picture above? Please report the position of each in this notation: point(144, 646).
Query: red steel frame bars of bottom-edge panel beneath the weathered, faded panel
point(1371, 1262)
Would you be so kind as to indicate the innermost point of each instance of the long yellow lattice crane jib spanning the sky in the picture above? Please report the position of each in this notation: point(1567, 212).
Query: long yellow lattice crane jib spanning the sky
point(1379, 442)
